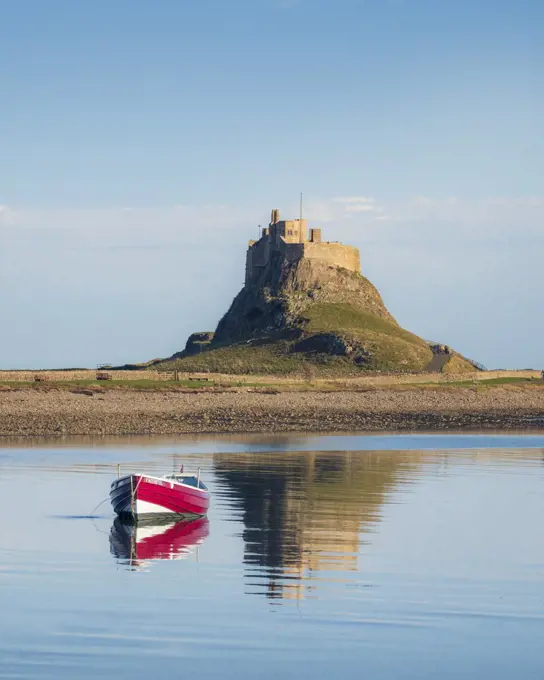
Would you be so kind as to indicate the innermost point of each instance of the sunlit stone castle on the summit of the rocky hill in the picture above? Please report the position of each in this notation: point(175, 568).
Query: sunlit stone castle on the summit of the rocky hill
point(289, 239)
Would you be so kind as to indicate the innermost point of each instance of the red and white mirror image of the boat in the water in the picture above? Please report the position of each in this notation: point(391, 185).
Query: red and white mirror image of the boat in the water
point(136, 541)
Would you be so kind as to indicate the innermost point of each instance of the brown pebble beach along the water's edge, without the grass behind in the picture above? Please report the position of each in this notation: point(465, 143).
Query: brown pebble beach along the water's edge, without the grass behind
point(31, 412)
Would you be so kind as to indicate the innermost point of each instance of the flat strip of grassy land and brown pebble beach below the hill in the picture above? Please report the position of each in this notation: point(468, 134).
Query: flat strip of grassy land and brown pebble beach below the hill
point(145, 402)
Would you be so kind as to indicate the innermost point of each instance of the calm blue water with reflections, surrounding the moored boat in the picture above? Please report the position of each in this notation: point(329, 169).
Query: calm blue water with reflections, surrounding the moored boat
point(384, 557)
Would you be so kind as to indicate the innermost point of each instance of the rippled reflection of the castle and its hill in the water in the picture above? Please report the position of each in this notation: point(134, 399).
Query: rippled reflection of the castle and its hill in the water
point(303, 513)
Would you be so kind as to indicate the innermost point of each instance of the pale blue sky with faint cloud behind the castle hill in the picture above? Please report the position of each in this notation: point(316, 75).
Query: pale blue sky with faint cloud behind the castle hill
point(143, 142)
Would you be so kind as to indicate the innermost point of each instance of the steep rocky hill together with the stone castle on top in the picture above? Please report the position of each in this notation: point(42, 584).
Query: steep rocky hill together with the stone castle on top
point(302, 310)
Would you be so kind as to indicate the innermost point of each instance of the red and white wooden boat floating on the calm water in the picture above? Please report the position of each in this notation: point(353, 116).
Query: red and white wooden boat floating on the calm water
point(139, 496)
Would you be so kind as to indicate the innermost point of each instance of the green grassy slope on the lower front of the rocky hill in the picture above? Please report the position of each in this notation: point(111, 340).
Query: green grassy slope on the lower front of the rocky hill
point(391, 348)
